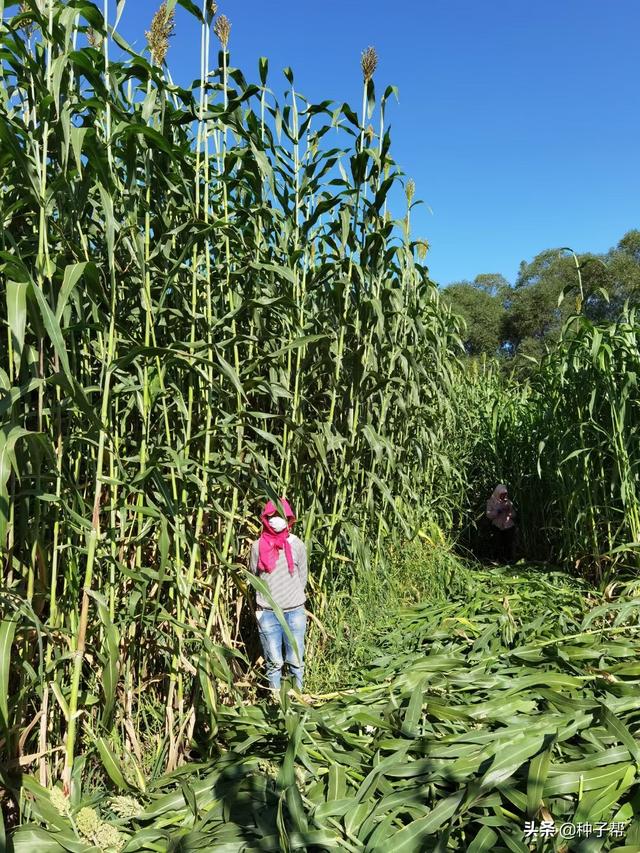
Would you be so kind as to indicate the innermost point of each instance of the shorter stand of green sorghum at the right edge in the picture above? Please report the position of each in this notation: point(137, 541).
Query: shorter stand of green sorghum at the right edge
point(567, 443)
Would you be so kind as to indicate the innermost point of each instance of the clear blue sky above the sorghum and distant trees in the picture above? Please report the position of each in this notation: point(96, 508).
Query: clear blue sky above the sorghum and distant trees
point(519, 121)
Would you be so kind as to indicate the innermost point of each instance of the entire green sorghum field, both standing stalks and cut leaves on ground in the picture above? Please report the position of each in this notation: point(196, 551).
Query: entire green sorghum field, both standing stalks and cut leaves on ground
point(209, 297)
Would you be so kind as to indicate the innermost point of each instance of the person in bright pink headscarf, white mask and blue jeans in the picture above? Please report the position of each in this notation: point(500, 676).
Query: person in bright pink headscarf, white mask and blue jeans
point(280, 560)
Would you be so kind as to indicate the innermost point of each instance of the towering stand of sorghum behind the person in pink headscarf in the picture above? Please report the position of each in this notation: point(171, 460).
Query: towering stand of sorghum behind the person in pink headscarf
point(204, 301)
